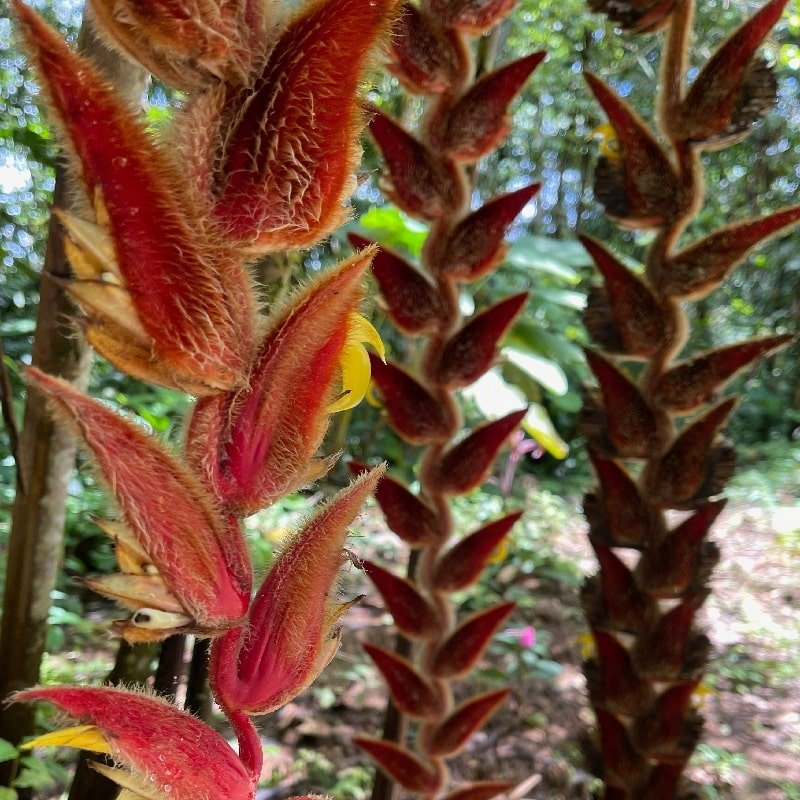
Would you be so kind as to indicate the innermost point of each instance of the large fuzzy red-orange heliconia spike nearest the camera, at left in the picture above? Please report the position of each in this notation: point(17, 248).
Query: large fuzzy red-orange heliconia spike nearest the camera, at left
point(260, 157)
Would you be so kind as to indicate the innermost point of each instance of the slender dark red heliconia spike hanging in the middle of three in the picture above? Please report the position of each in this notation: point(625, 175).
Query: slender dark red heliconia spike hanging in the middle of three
point(427, 175)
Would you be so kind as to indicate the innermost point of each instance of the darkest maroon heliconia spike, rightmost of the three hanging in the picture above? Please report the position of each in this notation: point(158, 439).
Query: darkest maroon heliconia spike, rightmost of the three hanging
point(655, 440)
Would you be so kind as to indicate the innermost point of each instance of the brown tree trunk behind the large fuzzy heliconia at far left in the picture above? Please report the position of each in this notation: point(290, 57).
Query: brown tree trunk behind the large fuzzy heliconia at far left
point(47, 455)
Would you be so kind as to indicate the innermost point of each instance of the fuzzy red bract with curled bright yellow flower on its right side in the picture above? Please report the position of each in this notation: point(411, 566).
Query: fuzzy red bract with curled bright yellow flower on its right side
point(256, 445)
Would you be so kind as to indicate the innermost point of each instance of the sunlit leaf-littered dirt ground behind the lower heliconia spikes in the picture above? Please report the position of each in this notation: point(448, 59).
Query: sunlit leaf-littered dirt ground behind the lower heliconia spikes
point(752, 742)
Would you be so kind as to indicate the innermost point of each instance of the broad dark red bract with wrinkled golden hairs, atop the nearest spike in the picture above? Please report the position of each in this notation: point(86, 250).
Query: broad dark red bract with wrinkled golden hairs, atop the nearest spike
point(289, 157)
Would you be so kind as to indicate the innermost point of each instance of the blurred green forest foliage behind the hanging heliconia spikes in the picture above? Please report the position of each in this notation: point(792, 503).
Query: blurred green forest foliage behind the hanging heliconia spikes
point(554, 140)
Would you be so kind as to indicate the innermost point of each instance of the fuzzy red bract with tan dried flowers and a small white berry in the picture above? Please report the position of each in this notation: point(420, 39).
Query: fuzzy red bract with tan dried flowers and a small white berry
point(185, 568)
